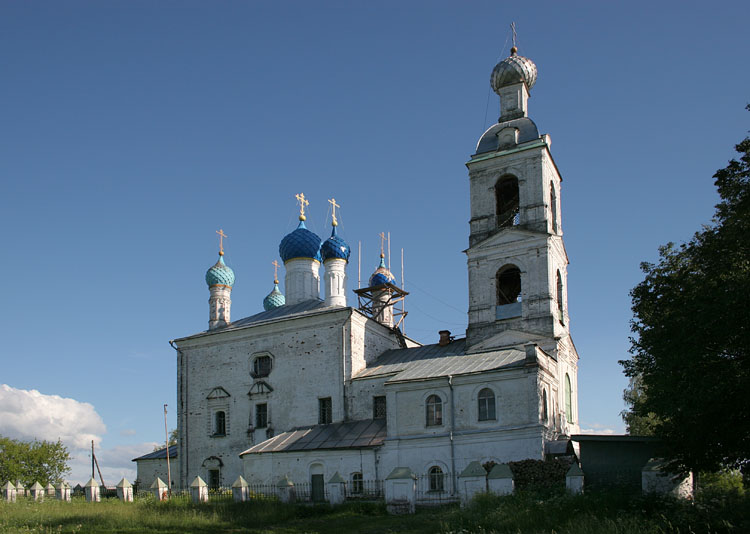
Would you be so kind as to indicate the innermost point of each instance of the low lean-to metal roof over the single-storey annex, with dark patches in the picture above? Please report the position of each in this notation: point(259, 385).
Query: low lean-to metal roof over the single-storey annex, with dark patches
point(347, 435)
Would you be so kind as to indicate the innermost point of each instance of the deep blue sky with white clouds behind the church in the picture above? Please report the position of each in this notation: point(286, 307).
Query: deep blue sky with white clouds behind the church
point(130, 131)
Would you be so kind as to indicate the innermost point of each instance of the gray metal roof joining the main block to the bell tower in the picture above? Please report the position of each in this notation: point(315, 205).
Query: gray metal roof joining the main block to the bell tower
point(433, 361)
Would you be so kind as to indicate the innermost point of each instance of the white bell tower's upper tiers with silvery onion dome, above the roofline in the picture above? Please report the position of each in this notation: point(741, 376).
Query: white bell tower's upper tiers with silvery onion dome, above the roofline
point(516, 257)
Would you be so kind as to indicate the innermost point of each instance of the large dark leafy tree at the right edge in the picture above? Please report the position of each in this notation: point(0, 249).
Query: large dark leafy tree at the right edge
point(690, 364)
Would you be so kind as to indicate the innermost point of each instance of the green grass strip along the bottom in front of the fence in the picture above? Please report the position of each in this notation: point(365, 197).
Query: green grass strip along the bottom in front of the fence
point(556, 513)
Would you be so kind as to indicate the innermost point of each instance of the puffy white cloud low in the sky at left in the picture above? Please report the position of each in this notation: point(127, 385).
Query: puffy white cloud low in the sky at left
point(29, 414)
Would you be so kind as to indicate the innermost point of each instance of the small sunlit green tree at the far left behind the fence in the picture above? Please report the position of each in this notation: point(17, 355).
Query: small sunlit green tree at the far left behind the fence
point(33, 461)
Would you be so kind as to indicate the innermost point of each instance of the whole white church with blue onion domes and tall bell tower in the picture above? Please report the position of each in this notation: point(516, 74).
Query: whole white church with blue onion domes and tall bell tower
point(318, 385)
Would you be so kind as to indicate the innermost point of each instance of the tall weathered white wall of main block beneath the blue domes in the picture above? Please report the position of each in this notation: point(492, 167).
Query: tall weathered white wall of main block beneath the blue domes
point(300, 348)
